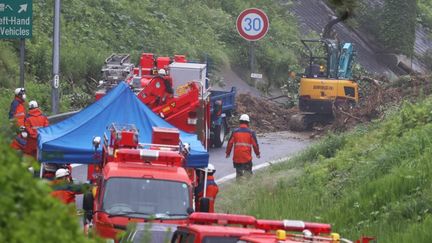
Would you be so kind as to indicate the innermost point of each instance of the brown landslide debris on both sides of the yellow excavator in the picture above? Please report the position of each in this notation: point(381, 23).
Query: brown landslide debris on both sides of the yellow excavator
point(376, 96)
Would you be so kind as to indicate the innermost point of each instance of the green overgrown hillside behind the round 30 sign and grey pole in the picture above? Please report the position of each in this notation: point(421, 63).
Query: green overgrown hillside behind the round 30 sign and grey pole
point(92, 30)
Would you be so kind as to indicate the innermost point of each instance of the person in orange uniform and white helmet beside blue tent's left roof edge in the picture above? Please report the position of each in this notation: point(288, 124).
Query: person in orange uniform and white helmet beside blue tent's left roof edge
point(34, 120)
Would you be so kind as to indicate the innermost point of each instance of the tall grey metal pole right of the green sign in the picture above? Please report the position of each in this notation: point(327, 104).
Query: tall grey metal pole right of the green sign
point(56, 59)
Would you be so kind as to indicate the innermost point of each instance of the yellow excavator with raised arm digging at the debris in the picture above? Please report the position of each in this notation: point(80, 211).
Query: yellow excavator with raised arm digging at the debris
point(327, 81)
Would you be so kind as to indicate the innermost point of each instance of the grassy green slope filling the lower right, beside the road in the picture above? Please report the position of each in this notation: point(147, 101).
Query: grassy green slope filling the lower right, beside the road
point(375, 180)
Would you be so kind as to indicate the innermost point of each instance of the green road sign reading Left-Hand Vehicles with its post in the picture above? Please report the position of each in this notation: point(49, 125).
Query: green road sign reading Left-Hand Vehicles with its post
point(16, 22)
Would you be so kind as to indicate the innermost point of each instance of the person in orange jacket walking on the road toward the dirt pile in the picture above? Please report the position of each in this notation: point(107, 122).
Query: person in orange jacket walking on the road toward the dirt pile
point(243, 139)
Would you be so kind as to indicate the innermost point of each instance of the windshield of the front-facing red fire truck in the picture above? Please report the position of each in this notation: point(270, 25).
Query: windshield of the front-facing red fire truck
point(146, 198)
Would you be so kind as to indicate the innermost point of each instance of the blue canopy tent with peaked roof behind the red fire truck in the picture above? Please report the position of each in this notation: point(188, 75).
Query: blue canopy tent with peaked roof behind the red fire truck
point(70, 141)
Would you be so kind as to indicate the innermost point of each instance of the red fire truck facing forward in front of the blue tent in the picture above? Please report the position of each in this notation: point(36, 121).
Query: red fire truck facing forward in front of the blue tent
point(139, 182)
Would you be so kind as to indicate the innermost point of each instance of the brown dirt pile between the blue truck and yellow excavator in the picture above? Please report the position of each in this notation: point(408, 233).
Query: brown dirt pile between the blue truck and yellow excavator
point(265, 115)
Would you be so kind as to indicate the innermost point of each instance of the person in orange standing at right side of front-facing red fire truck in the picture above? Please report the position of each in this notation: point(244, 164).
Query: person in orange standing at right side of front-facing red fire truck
point(212, 188)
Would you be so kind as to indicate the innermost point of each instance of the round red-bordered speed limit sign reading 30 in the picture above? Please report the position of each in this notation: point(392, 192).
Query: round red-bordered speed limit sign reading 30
point(252, 24)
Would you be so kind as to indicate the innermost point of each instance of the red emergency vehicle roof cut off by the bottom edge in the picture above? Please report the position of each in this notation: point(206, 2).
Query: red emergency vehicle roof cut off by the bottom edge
point(232, 228)
